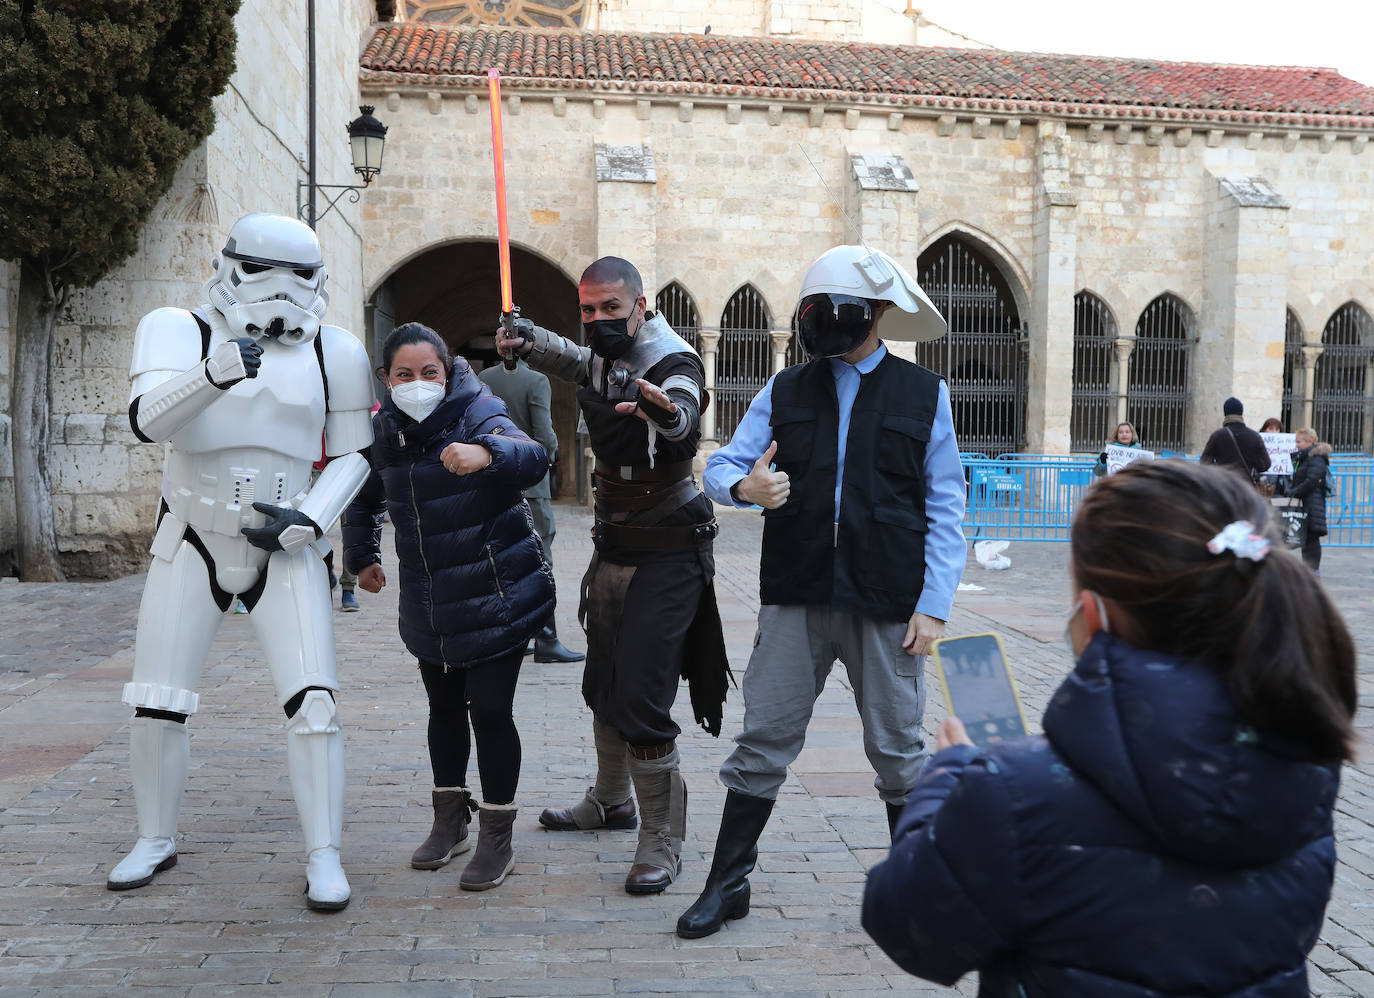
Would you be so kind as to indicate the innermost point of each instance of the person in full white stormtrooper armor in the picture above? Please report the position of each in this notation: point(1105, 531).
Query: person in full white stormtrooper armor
point(241, 391)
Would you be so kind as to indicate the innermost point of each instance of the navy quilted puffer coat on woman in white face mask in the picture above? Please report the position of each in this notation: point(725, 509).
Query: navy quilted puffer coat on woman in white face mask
point(475, 585)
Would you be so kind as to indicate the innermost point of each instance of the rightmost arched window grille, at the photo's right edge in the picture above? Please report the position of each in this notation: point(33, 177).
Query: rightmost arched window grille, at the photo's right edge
point(1343, 409)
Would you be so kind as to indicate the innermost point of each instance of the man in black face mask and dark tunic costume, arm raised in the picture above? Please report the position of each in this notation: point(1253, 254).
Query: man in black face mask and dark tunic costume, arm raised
point(649, 603)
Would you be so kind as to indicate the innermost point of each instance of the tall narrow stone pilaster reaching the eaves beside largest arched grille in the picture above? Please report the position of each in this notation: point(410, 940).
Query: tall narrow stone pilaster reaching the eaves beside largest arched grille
point(1050, 369)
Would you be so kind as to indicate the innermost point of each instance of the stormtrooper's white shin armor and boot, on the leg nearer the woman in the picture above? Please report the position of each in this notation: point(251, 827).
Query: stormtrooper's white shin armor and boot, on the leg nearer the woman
point(315, 757)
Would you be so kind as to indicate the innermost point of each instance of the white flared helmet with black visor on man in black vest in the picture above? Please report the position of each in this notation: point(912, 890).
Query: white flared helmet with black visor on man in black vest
point(842, 295)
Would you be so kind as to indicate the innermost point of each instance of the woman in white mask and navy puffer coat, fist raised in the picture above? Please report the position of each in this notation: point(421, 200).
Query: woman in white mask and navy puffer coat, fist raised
point(449, 465)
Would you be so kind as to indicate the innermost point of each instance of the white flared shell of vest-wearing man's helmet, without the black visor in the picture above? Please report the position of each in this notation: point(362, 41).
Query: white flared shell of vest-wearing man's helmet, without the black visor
point(872, 274)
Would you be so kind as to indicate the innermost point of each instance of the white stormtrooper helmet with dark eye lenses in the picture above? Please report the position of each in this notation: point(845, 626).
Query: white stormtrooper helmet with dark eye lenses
point(270, 280)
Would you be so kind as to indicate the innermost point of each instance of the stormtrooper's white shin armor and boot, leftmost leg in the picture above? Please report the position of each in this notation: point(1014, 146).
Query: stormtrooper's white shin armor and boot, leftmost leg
point(160, 755)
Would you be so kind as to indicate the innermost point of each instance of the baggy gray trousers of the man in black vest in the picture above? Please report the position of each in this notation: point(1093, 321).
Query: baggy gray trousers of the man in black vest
point(795, 651)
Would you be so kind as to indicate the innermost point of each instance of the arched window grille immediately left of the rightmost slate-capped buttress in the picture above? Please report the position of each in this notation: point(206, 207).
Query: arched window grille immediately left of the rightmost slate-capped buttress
point(1160, 375)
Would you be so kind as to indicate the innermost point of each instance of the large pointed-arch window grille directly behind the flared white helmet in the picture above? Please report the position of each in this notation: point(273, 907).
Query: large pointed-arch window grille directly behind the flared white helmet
point(984, 357)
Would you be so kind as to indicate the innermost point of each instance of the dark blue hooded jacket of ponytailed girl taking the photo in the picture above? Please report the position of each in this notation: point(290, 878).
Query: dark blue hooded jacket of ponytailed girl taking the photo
point(1148, 846)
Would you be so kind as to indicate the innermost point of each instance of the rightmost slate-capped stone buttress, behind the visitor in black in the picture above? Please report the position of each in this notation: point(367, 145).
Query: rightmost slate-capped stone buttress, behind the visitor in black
point(1243, 317)
